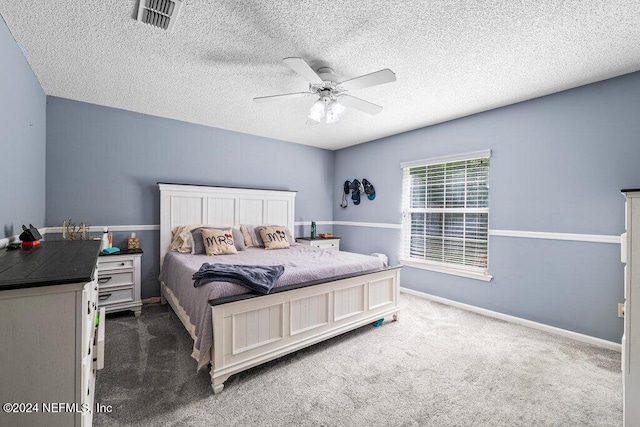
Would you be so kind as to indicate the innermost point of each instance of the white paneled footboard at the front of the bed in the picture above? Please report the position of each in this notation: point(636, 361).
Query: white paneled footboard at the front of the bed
point(249, 332)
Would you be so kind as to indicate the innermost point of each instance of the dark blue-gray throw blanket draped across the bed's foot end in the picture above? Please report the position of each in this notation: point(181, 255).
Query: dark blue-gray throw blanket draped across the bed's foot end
point(259, 278)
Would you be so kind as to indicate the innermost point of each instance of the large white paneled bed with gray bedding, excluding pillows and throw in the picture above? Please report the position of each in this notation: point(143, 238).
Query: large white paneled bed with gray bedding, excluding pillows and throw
point(321, 294)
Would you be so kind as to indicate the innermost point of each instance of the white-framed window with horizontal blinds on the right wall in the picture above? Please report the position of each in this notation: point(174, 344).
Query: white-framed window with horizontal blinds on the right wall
point(446, 214)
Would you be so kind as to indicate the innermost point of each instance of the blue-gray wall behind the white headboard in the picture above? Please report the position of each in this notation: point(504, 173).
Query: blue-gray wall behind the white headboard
point(103, 165)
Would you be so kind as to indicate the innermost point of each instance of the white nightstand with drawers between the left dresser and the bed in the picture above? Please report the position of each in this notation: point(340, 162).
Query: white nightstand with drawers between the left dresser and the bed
point(119, 281)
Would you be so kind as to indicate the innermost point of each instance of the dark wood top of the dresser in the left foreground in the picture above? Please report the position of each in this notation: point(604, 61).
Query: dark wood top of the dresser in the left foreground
point(54, 262)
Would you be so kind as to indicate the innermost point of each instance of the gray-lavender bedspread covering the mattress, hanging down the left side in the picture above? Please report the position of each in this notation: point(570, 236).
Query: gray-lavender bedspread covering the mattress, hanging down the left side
point(302, 263)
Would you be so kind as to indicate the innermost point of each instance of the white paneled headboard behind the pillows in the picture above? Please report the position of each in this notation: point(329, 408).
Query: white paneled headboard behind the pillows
point(197, 204)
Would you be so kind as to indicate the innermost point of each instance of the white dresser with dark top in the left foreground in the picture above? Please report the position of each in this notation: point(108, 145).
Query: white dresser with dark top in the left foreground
point(51, 334)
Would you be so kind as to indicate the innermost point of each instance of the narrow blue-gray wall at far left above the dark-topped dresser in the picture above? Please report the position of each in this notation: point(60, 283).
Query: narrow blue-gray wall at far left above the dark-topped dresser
point(22, 140)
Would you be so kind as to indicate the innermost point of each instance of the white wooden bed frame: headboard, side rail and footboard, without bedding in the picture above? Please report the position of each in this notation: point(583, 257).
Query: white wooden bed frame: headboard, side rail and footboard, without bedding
point(249, 332)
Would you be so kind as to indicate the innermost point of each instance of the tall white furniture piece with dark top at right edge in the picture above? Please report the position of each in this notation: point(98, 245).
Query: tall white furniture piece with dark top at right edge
point(630, 254)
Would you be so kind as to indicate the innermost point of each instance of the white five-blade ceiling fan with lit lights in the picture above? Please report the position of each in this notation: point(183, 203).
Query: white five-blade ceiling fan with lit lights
point(332, 93)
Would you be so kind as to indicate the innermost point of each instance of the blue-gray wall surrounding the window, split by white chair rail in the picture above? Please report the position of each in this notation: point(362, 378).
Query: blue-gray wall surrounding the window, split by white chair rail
point(558, 164)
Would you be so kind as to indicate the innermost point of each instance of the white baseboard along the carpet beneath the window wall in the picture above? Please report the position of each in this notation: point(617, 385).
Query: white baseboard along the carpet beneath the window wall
point(518, 320)
